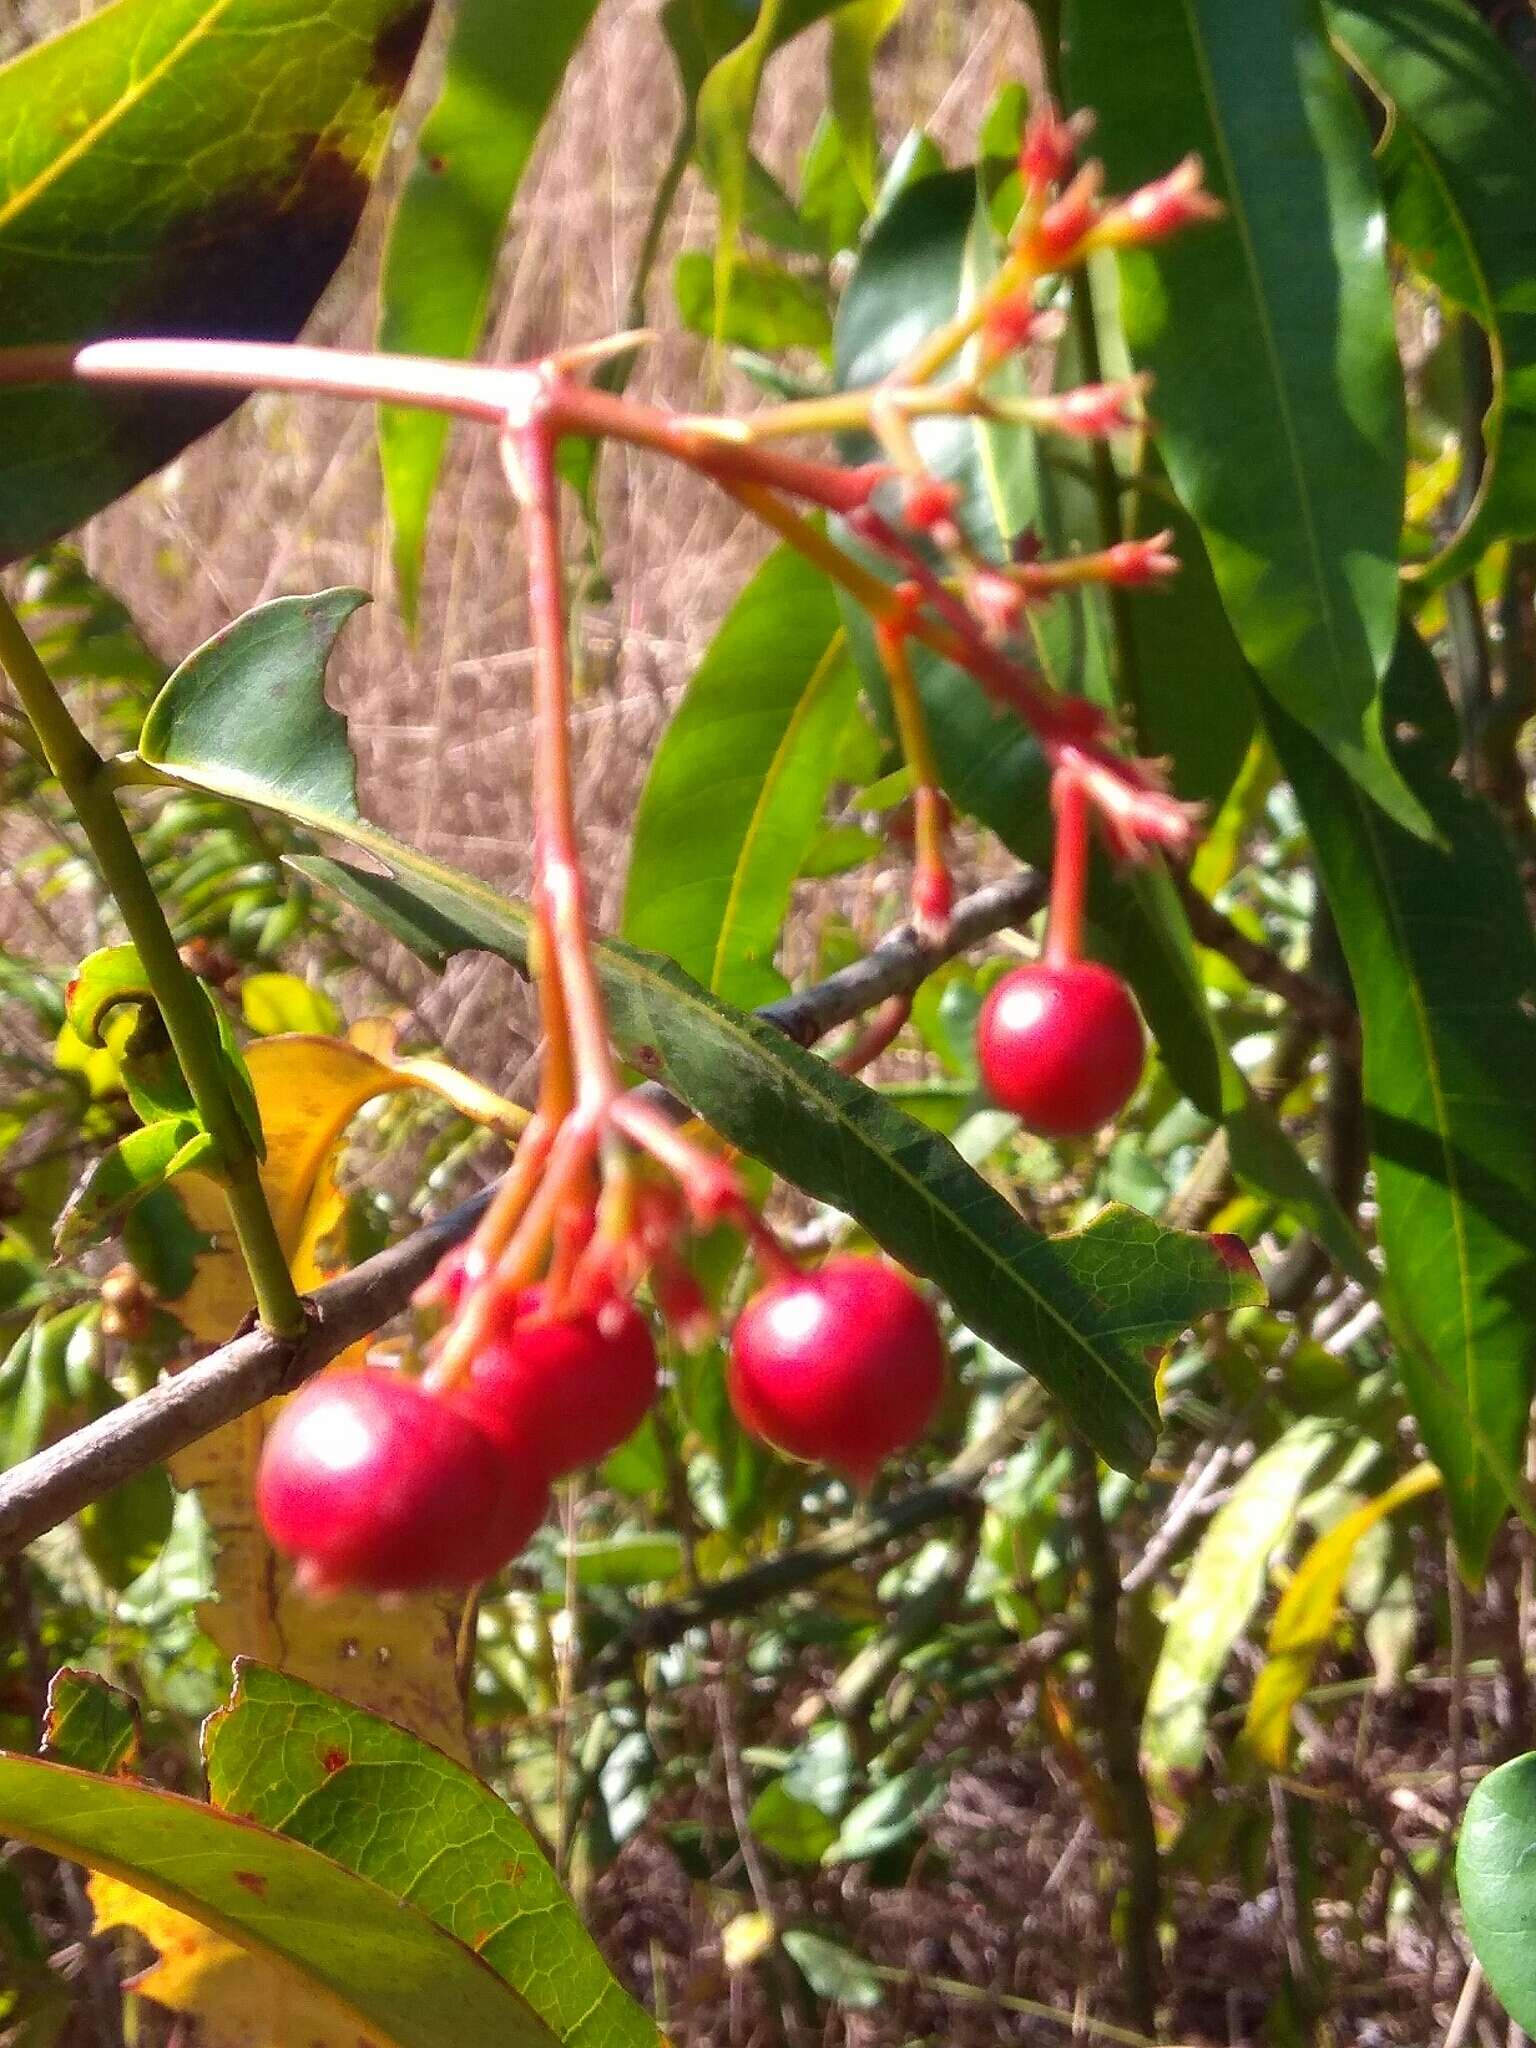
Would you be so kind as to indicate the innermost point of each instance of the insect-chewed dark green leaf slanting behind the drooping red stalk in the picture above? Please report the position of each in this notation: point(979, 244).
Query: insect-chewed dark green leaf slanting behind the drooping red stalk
point(1078, 1312)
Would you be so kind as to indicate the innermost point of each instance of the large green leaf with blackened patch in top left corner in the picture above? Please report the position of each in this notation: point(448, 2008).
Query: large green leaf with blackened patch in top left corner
point(175, 167)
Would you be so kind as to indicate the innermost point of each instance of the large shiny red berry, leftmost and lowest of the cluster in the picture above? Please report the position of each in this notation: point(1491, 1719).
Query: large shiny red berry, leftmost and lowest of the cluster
point(372, 1482)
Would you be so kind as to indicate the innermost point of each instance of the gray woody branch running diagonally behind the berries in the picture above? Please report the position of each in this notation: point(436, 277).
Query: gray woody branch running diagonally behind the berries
point(255, 1367)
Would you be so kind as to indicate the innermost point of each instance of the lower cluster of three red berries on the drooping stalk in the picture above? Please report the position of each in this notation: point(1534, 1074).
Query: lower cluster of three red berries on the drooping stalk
point(372, 1480)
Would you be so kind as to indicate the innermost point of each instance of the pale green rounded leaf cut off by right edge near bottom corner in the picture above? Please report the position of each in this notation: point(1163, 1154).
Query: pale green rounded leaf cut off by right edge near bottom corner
point(1496, 1881)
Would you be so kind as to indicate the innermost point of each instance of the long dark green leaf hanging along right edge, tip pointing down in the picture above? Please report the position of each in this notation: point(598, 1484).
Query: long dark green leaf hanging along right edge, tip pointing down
point(1445, 966)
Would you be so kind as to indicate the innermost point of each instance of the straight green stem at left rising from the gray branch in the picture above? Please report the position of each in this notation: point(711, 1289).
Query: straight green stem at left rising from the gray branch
point(85, 781)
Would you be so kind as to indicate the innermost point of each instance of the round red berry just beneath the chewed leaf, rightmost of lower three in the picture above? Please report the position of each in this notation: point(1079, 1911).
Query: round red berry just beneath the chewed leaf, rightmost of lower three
point(843, 1365)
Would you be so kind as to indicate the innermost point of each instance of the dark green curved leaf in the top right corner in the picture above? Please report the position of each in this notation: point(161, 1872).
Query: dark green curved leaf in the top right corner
point(1461, 183)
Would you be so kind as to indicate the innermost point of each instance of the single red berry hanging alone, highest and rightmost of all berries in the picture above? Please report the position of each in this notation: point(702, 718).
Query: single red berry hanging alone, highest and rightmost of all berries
point(1062, 1048)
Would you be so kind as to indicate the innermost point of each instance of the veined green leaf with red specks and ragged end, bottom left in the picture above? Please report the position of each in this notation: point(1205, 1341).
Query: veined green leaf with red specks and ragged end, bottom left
point(388, 1807)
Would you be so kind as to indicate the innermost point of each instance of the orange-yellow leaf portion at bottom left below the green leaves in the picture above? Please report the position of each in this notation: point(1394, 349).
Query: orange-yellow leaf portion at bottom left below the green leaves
point(239, 2000)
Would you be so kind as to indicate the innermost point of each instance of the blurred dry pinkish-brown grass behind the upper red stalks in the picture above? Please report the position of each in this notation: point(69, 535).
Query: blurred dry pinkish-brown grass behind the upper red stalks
point(286, 497)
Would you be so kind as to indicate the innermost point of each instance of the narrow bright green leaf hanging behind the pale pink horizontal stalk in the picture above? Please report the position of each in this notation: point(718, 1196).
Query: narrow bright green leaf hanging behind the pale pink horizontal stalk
point(503, 73)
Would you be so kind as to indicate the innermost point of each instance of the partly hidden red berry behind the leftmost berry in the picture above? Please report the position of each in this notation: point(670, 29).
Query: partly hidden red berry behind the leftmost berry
point(572, 1385)
